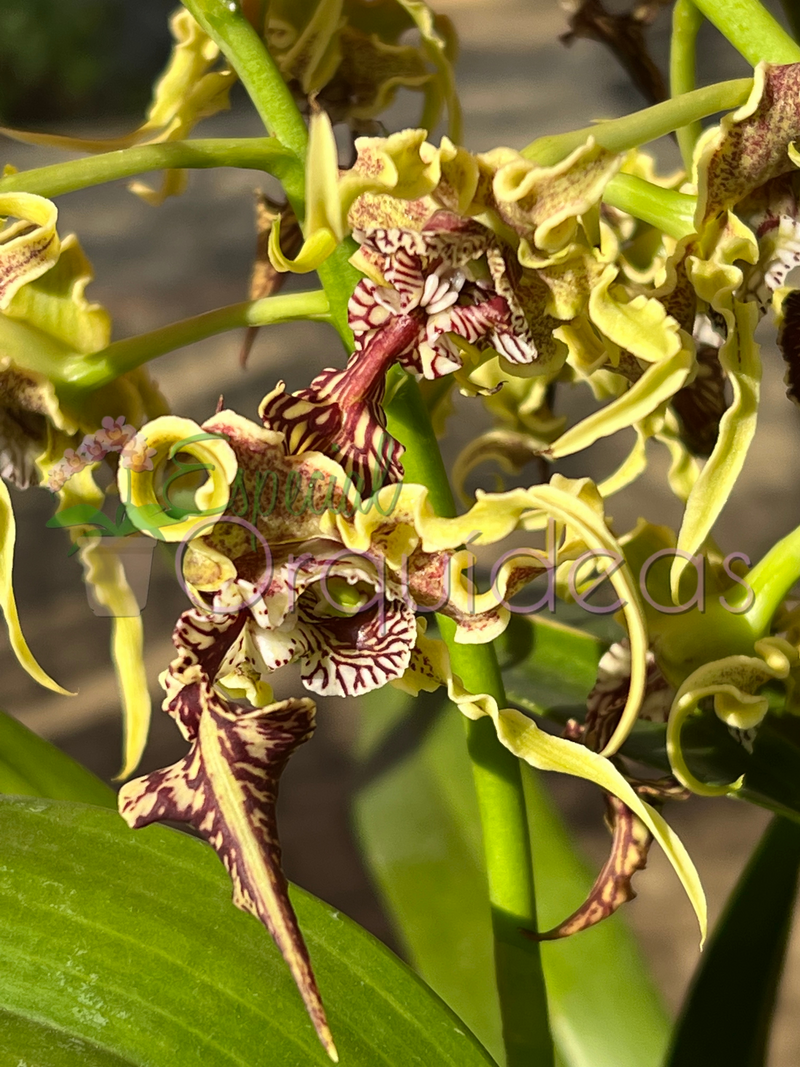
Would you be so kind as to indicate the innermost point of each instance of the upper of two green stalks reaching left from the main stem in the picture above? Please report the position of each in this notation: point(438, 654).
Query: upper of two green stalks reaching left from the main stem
point(257, 154)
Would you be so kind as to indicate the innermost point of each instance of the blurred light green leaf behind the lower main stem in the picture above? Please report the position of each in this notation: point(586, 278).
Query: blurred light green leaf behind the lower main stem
point(418, 821)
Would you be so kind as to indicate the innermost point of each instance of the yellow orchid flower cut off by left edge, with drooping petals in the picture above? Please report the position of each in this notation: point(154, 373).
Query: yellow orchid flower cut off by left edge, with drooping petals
point(49, 327)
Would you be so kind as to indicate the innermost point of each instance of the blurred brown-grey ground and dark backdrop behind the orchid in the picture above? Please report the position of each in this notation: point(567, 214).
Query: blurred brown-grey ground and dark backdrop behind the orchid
point(87, 68)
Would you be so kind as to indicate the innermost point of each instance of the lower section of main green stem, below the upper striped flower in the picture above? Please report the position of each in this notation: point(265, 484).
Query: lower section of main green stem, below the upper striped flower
point(498, 779)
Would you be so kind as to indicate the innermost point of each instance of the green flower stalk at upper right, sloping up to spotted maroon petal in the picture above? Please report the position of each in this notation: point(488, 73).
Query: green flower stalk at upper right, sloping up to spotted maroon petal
point(631, 132)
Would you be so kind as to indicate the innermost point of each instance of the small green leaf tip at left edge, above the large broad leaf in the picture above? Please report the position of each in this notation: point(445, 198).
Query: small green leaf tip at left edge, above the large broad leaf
point(33, 767)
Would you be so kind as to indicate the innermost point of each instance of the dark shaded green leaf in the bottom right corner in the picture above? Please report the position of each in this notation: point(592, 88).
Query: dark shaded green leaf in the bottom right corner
point(727, 1016)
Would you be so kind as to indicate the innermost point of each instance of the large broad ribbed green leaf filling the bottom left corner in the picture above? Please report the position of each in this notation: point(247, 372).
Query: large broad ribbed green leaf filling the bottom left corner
point(122, 948)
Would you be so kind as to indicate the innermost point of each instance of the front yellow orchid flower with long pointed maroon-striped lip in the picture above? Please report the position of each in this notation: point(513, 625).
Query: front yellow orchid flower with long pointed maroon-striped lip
point(319, 577)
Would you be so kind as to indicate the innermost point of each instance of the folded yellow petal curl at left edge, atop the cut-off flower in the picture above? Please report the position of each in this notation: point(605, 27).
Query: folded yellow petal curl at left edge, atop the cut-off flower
point(30, 247)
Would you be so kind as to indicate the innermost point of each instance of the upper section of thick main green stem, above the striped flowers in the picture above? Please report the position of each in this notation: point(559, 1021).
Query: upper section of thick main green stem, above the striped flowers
point(250, 58)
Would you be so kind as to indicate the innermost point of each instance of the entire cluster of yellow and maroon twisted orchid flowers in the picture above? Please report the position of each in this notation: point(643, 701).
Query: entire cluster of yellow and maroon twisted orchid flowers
point(511, 276)
